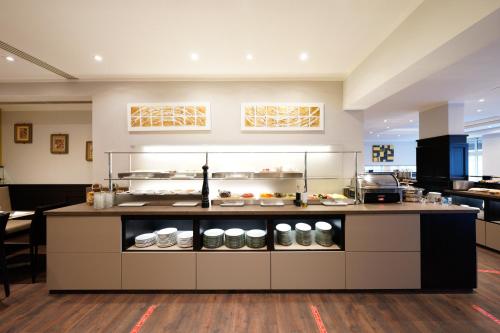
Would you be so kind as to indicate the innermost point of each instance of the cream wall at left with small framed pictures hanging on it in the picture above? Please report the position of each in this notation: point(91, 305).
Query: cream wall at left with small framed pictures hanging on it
point(33, 163)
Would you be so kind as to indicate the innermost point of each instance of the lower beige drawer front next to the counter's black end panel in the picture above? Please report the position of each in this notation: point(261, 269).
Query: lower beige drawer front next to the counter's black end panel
point(383, 270)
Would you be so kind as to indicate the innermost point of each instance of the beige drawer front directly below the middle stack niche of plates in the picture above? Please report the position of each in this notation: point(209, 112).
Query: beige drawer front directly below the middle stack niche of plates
point(227, 270)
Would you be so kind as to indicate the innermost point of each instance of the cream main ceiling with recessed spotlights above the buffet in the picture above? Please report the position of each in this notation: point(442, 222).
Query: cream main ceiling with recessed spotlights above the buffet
point(155, 41)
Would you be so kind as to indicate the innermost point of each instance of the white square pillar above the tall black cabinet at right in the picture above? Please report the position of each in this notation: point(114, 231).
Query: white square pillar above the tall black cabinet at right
point(447, 119)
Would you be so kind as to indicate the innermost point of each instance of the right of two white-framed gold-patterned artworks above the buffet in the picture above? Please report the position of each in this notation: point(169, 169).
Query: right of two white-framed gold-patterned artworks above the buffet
point(282, 116)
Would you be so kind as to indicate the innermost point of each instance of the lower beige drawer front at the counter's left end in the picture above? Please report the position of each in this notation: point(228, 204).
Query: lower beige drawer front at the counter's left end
point(84, 271)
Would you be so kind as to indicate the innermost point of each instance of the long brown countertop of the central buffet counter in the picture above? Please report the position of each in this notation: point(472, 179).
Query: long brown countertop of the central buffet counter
point(389, 208)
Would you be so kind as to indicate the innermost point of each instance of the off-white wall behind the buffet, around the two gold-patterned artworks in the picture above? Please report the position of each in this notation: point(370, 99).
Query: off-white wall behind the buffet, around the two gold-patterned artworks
point(109, 113)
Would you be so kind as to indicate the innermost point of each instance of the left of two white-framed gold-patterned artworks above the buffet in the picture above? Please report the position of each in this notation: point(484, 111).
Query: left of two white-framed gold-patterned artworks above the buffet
point(182, 116)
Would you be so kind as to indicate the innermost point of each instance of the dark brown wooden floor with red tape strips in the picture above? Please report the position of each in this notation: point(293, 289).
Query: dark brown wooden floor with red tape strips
point(31, 309)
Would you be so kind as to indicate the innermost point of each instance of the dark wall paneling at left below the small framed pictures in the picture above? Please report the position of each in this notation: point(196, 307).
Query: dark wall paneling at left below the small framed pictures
point(30, 196)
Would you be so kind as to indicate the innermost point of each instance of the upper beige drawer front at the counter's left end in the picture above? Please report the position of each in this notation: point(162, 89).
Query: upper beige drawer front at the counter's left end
point(76, 234)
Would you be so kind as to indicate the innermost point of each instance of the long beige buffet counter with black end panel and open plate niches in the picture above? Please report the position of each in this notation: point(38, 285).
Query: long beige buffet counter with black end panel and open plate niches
point(376, 246)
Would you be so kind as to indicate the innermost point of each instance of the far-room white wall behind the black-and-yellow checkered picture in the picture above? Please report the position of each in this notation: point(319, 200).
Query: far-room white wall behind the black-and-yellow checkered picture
point(405, 152)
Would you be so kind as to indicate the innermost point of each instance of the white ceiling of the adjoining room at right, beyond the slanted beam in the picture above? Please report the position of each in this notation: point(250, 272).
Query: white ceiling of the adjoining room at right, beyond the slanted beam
point(474, 81)
